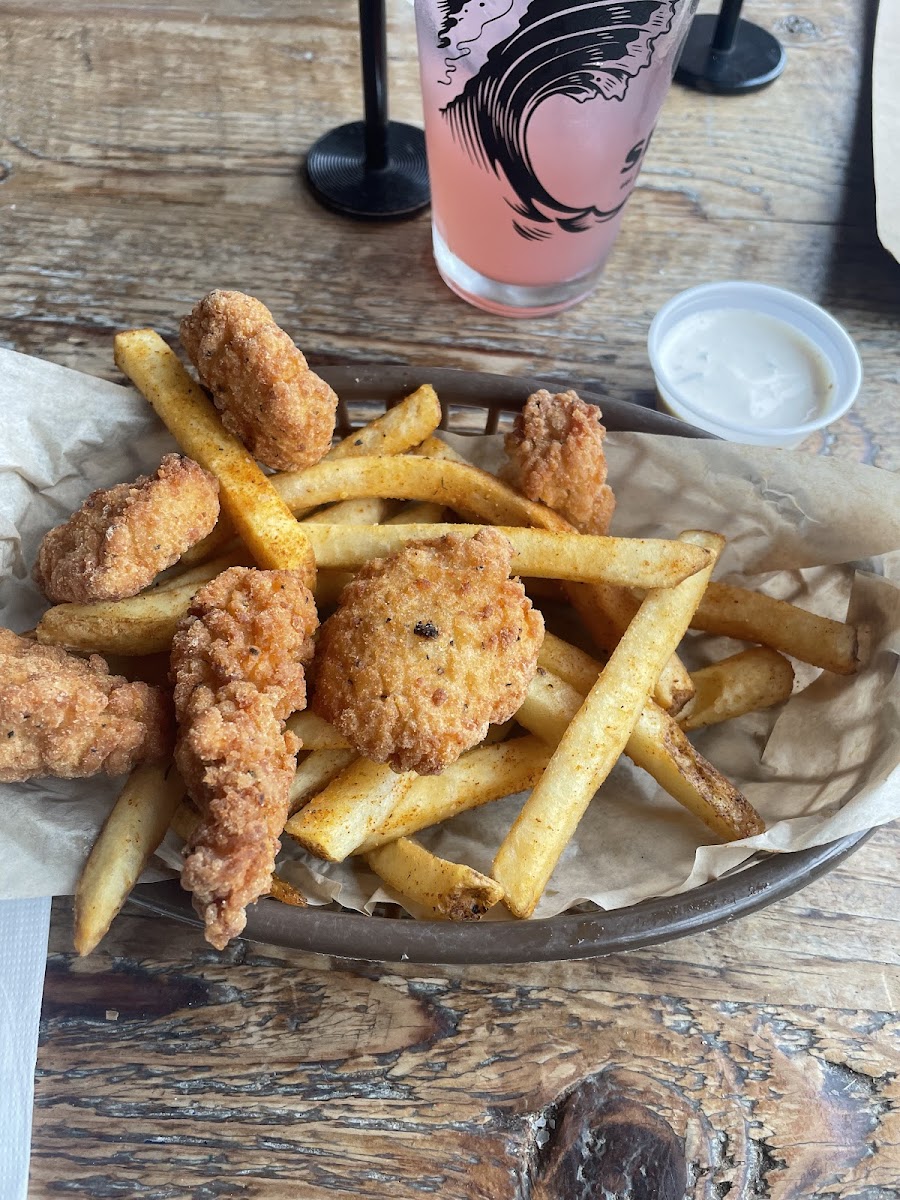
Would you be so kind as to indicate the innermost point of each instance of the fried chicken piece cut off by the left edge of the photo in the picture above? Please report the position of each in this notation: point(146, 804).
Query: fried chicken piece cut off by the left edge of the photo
point(68, 717)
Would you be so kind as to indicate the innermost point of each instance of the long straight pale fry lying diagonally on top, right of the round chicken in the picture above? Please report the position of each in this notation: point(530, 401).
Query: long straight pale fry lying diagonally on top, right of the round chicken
point(597, 737)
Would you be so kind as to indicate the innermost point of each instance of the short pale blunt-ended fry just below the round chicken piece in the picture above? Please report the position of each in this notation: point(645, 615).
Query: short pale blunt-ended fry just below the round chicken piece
point(344, 814)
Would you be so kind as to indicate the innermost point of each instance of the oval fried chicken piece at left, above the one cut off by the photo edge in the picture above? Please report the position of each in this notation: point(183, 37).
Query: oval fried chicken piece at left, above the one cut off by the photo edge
point(123, 537)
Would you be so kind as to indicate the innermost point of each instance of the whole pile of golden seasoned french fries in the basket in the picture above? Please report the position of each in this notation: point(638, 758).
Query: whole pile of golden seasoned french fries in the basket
point(391, 483)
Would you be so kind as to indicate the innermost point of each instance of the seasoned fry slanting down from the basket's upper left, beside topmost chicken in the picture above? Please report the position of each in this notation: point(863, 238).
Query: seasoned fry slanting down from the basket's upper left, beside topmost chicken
point(263, 521)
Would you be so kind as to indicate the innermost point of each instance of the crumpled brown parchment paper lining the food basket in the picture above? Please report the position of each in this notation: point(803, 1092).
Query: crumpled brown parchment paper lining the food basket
point(821, 533)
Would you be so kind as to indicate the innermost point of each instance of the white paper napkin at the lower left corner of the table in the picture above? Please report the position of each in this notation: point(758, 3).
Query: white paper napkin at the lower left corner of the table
point(25, 929)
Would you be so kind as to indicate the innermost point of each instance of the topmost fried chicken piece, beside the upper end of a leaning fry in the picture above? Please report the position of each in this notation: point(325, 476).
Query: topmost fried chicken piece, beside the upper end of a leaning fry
point(269, 398)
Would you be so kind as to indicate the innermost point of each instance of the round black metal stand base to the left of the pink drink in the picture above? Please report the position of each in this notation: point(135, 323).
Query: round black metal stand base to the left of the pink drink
point(337, 169)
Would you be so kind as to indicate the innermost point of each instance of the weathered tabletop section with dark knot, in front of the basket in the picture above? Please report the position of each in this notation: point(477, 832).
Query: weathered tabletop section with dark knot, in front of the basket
point(745, 1061)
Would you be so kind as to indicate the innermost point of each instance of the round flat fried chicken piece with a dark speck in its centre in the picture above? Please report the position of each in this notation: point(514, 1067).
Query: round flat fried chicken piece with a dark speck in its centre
point(427, 650)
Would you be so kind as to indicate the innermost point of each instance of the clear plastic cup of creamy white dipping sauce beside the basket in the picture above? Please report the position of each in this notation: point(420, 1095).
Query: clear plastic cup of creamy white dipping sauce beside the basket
point(753, 363)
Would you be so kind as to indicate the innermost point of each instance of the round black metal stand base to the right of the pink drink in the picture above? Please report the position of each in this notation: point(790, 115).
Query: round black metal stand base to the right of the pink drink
point(754, 61)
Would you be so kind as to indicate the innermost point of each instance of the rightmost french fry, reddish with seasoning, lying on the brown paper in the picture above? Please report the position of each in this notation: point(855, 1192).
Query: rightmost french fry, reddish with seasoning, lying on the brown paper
point(749, 616)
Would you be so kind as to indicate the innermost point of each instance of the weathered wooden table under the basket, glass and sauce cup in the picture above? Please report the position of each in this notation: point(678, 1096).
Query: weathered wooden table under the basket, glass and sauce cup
point(149, 152)
